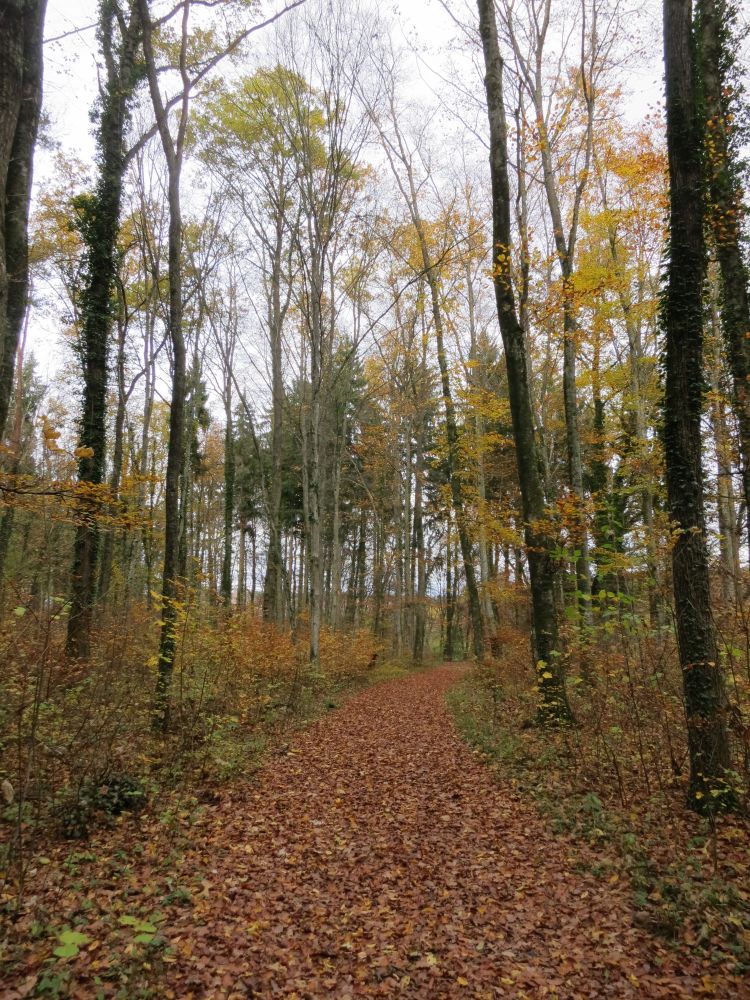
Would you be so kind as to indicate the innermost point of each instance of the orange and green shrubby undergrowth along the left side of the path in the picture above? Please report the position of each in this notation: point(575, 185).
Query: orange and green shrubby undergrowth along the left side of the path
point(77, 748)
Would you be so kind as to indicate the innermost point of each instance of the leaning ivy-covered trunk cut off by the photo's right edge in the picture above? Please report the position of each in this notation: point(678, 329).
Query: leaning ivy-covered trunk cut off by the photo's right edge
point(716, 19)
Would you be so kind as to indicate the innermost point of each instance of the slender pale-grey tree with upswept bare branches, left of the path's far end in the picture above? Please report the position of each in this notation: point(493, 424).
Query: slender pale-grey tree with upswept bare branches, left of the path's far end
point(326, 131)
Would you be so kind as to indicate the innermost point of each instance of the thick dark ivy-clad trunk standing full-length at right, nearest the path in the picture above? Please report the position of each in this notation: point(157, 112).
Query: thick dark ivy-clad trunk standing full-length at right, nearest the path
point(682, 315)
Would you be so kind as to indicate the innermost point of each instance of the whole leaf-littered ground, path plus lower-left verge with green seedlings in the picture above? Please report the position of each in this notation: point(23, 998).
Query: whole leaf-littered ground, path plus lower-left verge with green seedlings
point(375, 856)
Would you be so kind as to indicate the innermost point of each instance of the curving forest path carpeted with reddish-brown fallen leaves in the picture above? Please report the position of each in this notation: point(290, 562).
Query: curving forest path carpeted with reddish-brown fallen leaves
point(379, 858)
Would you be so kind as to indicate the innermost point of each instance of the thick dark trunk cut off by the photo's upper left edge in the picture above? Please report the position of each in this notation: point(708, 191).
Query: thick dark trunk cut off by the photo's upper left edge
point(21, 63)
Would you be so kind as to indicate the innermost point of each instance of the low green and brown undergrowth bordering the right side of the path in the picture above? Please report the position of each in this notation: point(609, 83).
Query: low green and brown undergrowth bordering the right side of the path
point(688, 874)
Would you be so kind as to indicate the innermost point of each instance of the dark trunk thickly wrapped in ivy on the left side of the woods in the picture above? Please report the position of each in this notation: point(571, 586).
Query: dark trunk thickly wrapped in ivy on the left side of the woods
point(99, 224)
